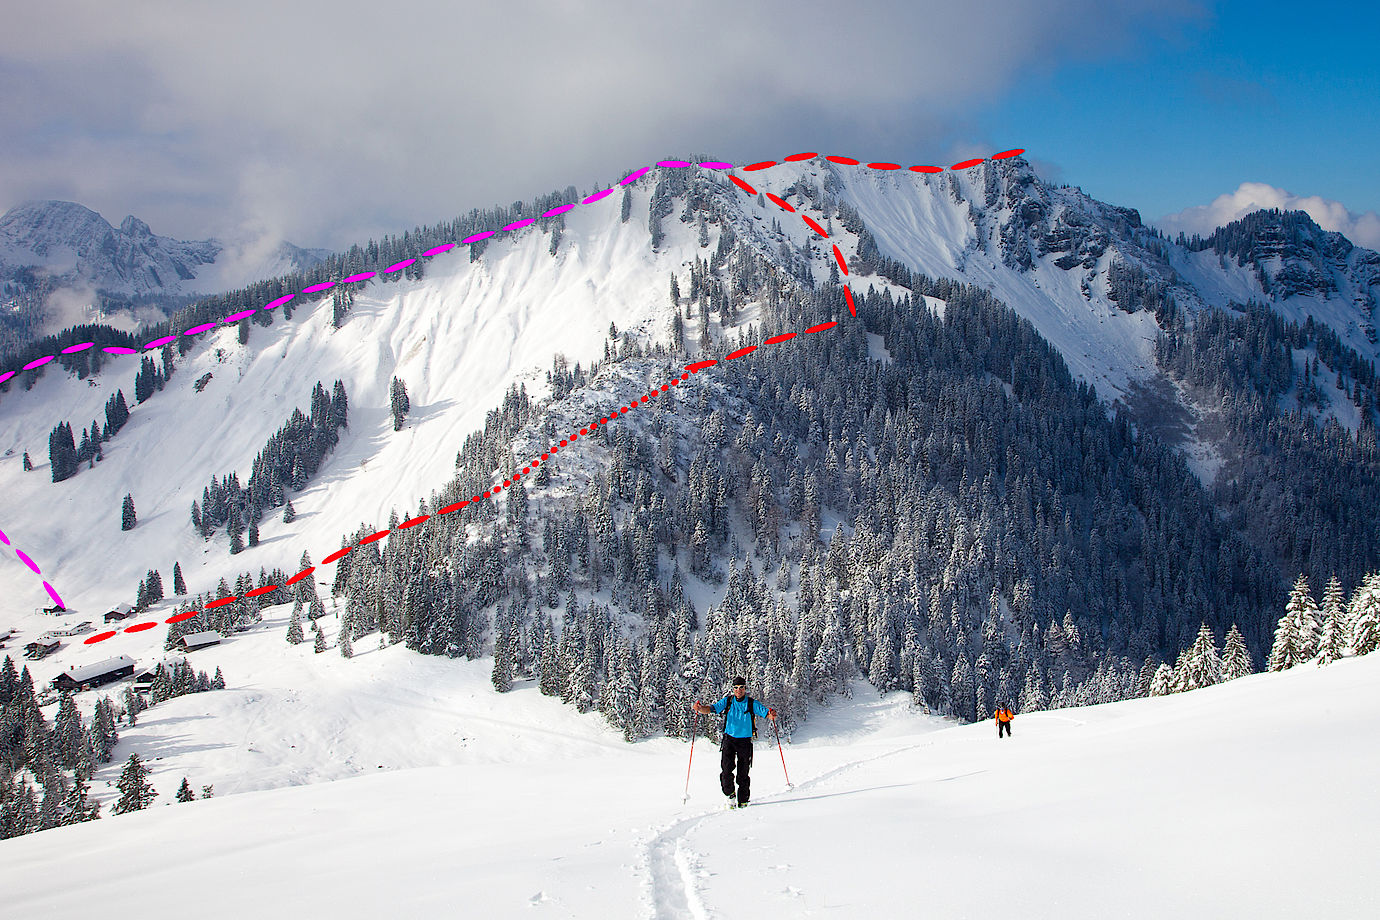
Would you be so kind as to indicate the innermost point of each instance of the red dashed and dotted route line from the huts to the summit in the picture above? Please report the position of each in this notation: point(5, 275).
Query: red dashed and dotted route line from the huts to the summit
point(691, 369)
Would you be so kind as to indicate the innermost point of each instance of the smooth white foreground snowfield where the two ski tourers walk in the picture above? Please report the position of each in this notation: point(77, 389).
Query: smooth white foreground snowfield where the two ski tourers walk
point(1245, 799)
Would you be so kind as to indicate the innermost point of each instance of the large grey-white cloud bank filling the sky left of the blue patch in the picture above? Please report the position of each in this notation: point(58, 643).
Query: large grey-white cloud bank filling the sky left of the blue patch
point(325, 122)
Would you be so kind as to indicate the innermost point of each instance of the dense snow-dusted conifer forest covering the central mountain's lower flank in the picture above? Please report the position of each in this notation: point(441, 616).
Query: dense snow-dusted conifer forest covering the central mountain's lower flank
point(964, 522)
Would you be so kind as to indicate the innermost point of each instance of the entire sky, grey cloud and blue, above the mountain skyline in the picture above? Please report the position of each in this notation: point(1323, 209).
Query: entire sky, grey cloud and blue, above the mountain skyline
point(329, 123)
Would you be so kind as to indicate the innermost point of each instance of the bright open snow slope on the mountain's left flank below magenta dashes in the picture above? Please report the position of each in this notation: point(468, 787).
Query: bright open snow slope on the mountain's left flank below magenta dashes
point(459, 340)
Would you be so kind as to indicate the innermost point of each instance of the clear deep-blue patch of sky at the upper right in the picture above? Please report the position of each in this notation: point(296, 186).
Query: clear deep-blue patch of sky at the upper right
point(1277, 93)
